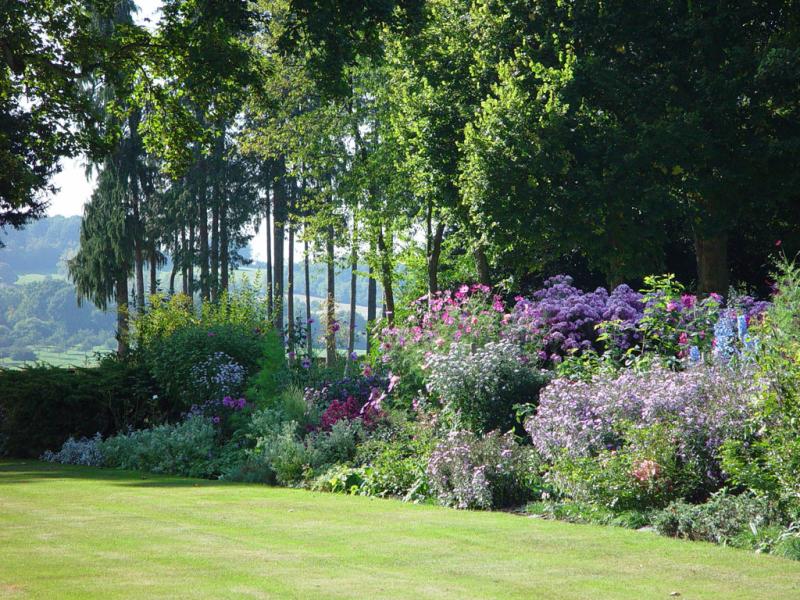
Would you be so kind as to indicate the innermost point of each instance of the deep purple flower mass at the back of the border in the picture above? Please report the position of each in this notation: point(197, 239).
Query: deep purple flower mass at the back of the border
point(565, 319)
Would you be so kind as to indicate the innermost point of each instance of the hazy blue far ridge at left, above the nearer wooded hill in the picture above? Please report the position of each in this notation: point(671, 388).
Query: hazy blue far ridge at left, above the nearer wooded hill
point(41, 247)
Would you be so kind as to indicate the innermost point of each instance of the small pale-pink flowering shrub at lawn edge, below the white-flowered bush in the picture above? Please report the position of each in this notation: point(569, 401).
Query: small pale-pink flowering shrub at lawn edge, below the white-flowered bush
point(492, 471)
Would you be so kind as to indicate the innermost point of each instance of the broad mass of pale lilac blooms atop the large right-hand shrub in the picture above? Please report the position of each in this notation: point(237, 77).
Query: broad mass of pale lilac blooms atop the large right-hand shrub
point(702, 406)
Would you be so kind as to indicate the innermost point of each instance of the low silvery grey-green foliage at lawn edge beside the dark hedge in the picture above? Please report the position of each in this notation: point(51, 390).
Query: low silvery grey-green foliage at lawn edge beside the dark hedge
point(189, 448)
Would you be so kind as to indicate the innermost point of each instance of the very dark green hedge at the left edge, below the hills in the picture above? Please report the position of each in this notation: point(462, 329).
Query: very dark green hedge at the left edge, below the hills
point(41, 406)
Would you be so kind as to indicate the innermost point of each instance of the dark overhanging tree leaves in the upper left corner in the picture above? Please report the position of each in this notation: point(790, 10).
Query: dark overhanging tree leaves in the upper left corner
point(51, 47)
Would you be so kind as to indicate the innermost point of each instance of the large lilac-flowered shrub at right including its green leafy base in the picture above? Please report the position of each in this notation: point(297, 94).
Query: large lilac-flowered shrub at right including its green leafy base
point(641, 438)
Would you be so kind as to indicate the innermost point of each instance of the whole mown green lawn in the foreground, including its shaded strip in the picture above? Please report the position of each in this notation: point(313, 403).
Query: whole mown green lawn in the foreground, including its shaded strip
point(71, 532)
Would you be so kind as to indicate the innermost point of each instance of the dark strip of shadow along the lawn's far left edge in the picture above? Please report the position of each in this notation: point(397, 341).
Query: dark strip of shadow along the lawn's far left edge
point(31, 471)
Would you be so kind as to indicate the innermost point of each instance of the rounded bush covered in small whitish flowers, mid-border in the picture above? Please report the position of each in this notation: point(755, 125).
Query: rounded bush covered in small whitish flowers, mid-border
point(479, 388)
